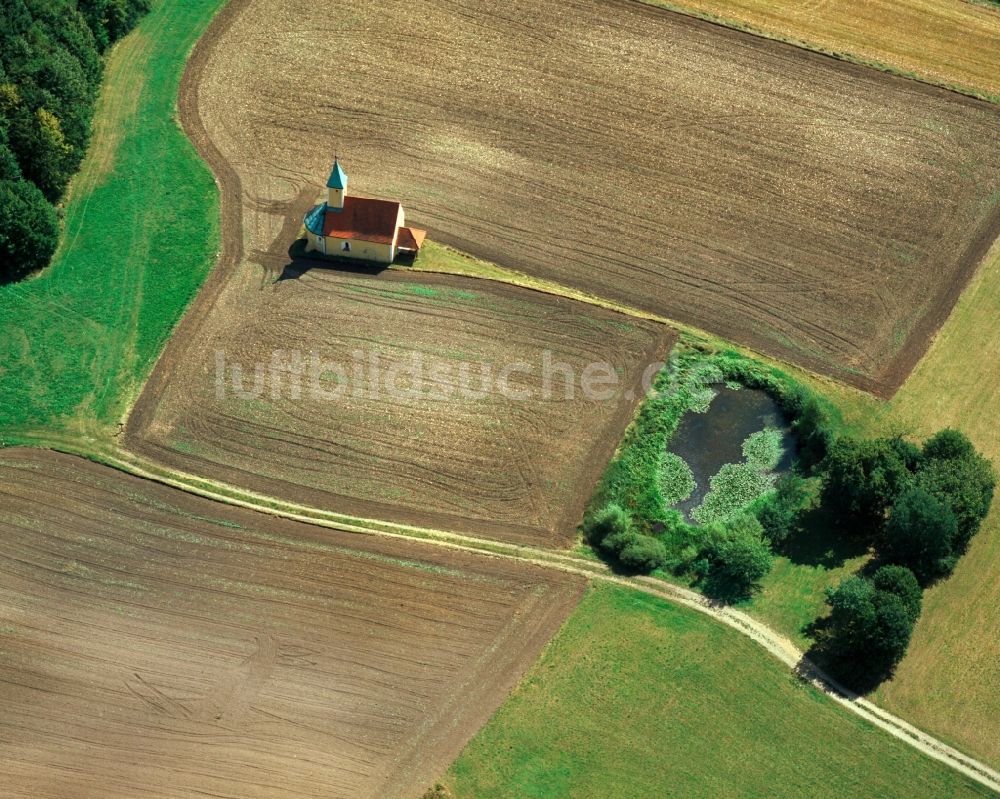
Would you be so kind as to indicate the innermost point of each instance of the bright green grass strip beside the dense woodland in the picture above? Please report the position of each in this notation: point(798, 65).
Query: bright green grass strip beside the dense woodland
point(141, 231)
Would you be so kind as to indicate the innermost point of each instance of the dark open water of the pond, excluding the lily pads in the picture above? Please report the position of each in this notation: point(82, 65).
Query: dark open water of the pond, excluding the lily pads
point(708, 441)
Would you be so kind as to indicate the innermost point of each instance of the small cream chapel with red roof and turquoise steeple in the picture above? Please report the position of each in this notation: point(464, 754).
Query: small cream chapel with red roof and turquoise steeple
point(359, 228)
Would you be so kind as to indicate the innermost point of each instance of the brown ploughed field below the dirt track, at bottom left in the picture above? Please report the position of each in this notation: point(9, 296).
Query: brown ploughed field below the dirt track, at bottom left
point(153, 644)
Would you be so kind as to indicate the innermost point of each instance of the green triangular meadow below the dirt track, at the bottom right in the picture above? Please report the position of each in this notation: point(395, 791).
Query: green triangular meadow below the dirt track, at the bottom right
point(636, 697)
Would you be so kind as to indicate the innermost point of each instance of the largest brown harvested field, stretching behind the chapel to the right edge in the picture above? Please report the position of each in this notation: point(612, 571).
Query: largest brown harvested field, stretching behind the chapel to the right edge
point(820, 211)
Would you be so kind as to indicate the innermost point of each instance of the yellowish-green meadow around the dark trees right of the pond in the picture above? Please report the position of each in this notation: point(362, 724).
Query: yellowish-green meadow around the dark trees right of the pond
point(948, 683)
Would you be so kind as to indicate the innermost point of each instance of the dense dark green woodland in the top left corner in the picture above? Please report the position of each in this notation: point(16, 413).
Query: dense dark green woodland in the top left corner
point(50, 74)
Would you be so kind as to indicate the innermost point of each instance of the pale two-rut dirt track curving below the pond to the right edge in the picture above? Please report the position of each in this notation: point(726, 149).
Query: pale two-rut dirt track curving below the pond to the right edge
point(777, 645)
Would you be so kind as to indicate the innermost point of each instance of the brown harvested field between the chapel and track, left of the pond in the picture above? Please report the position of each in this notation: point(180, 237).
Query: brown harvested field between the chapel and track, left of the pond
point(472, 445)
